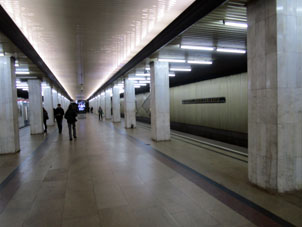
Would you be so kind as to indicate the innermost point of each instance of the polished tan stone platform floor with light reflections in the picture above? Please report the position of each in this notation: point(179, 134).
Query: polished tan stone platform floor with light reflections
point(109, 176)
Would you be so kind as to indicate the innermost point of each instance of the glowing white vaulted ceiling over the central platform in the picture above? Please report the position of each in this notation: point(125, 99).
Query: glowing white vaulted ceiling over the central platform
point(86, 42)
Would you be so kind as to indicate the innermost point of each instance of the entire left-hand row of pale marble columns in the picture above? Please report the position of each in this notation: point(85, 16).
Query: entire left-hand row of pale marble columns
point(9, 129)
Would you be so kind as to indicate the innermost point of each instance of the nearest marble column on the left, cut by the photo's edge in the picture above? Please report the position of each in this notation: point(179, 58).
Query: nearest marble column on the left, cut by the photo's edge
point(9, 129)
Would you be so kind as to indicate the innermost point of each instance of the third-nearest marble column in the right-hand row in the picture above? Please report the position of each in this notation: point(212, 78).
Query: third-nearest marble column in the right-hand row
point(129, 104)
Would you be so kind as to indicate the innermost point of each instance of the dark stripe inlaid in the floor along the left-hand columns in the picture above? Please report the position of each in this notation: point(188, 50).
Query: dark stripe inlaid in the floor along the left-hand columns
point(13, 181)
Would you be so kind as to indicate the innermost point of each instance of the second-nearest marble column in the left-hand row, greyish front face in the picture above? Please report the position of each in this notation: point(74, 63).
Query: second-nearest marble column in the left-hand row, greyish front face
point(35, 106)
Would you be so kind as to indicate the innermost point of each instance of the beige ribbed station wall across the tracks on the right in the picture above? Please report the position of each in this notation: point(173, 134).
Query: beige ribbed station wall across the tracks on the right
point(221, 121)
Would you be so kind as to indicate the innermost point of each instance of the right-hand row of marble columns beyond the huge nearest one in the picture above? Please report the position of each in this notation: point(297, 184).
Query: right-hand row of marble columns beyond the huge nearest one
point(160, 102)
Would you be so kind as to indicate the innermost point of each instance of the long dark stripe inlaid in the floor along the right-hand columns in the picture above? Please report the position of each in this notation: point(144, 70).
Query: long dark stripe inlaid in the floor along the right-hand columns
point(248, 209)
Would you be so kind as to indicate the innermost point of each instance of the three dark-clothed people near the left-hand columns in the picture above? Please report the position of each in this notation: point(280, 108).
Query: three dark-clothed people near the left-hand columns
point(70, 116)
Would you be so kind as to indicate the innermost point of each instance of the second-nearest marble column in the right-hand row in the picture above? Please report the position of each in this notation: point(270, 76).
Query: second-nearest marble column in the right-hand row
point(160, 101)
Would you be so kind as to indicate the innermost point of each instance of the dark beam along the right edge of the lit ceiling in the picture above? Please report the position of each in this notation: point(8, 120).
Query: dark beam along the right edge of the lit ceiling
point(191, 15)
